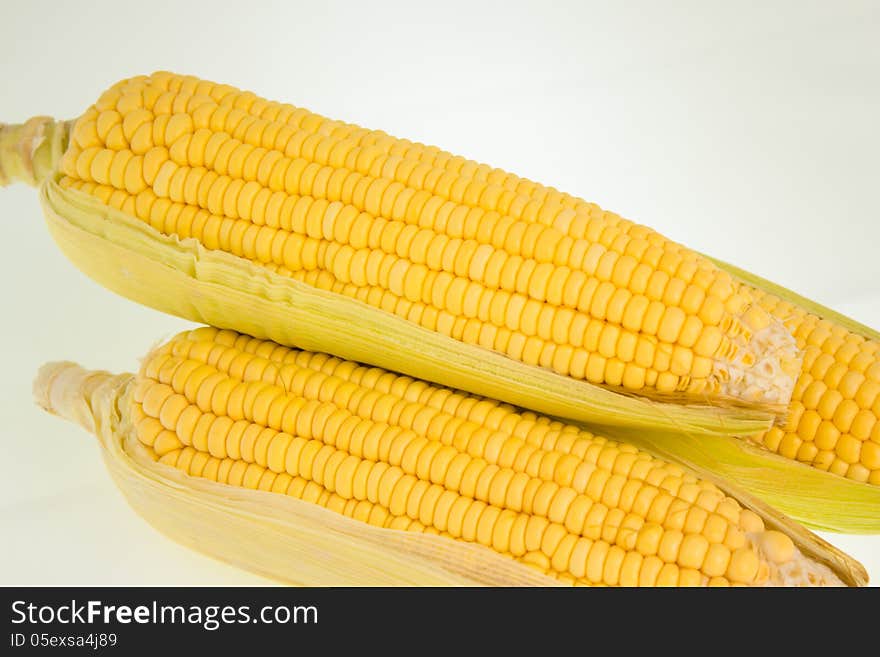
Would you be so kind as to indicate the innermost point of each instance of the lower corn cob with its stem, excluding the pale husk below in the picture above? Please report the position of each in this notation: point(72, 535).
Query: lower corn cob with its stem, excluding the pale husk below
point(398, 455)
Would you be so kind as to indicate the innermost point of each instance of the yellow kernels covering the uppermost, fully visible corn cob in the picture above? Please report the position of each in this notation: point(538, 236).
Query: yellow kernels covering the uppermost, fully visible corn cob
point(458, 247)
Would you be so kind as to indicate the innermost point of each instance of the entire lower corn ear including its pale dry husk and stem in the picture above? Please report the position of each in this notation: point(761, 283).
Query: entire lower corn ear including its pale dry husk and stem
point(298, 542)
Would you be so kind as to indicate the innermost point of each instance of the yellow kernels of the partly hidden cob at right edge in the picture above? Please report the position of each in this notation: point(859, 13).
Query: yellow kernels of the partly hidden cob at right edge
point(834, 416)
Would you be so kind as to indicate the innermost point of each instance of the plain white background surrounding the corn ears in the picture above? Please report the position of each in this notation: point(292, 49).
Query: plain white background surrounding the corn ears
point(748, 130)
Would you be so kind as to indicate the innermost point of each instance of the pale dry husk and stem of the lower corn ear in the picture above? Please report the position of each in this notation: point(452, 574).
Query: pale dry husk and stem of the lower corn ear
point(276, 536)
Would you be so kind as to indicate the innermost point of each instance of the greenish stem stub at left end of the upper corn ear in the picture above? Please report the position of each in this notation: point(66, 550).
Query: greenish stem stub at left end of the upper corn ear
point(31, 151)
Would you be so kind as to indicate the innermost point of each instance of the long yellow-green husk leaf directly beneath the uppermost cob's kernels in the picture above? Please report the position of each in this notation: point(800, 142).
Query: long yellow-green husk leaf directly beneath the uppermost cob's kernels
point(183, 278)
